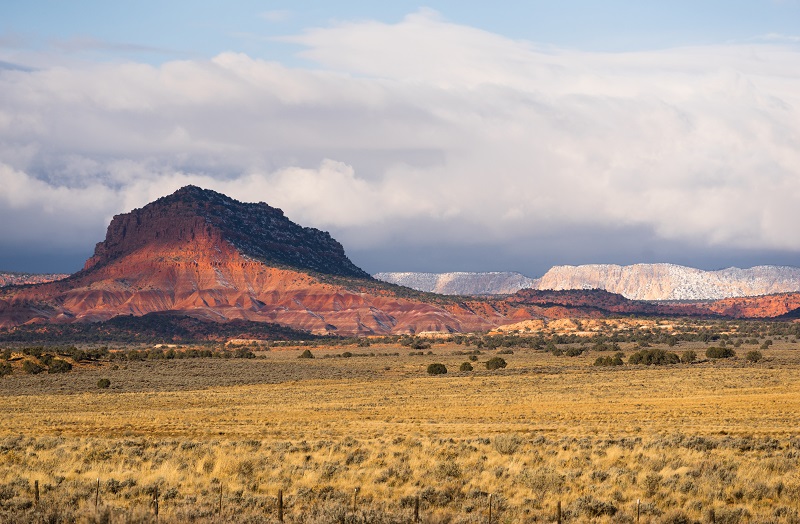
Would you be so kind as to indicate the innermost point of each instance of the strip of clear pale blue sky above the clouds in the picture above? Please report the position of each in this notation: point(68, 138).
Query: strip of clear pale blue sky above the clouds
point(157, 31)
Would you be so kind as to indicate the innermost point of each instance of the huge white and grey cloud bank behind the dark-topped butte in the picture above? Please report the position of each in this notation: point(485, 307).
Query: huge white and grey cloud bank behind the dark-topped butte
point(425, 133)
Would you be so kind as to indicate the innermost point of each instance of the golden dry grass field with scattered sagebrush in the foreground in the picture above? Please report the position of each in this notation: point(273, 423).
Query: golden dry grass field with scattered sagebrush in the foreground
point(694, 442)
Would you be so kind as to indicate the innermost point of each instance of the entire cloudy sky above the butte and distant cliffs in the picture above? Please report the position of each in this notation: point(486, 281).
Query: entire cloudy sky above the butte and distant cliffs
point(437, 136)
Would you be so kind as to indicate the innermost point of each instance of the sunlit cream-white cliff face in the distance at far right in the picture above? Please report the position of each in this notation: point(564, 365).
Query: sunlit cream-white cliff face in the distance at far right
point(672, 282)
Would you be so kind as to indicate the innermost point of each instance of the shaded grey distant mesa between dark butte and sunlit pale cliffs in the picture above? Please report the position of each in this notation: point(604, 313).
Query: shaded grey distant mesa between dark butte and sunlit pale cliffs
point(459, 283)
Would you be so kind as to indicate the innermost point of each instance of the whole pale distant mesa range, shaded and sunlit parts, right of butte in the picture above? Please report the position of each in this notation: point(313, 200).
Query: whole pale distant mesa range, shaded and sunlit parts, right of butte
point(637, 282)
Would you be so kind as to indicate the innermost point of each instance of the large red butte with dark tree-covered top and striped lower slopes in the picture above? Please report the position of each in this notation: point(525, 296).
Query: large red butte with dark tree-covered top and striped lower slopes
point(202, 254)
